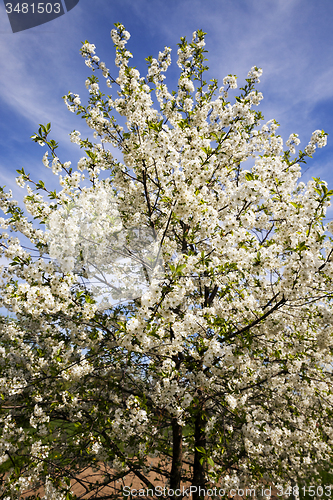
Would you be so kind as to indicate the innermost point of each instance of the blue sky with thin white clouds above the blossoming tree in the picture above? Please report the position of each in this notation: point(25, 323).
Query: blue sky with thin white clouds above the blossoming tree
point(292, 40)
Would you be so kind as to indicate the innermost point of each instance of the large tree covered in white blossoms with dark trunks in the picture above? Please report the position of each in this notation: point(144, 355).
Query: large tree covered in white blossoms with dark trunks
point(218, 370)
